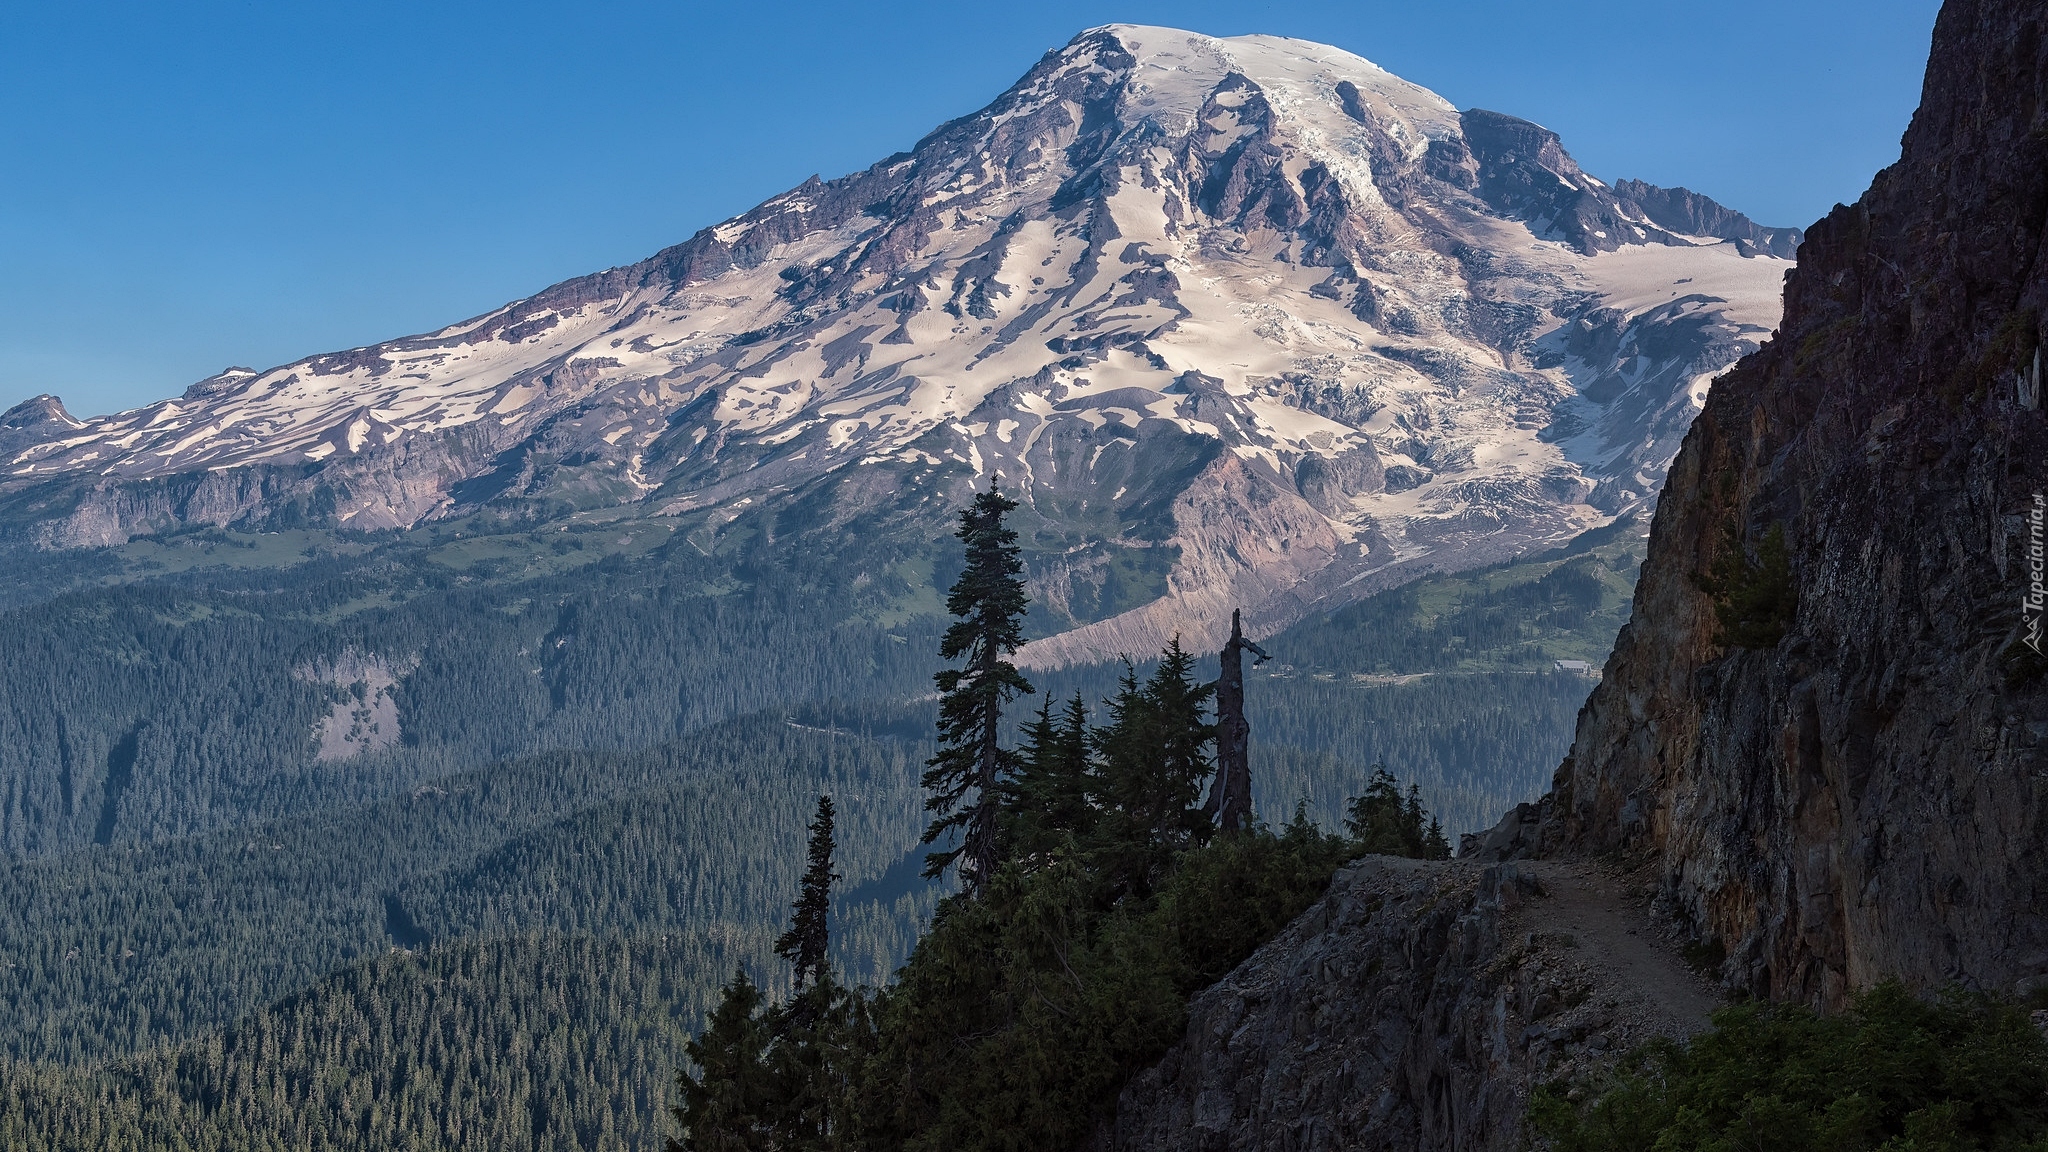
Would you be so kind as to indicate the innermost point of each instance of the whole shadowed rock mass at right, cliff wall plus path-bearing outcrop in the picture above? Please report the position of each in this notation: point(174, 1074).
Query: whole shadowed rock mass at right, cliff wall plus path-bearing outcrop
point(1824, 739)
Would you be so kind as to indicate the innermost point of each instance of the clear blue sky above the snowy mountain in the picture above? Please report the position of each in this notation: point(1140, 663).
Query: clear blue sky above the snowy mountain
point(202, 183)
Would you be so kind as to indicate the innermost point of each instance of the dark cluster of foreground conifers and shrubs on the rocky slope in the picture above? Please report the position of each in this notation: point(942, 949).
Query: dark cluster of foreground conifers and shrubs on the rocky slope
point(1099, 893)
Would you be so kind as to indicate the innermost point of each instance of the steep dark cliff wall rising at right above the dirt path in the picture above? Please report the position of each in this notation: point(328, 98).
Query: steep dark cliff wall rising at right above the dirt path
point(1863, 796)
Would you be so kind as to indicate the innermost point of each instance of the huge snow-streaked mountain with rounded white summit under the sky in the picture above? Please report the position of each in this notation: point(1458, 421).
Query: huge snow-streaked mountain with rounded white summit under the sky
point(1256, 304)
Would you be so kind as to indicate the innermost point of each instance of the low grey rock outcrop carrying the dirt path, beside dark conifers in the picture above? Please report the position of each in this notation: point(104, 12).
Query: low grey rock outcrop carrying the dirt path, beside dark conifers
point(1414, 1007)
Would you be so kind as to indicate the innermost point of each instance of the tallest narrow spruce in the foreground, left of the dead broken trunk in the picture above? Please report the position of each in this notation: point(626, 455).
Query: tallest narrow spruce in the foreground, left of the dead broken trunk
point(964, 780)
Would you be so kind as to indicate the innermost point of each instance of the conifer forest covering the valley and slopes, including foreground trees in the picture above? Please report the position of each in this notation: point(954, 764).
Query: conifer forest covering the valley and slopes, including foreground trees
point(577, 784)
